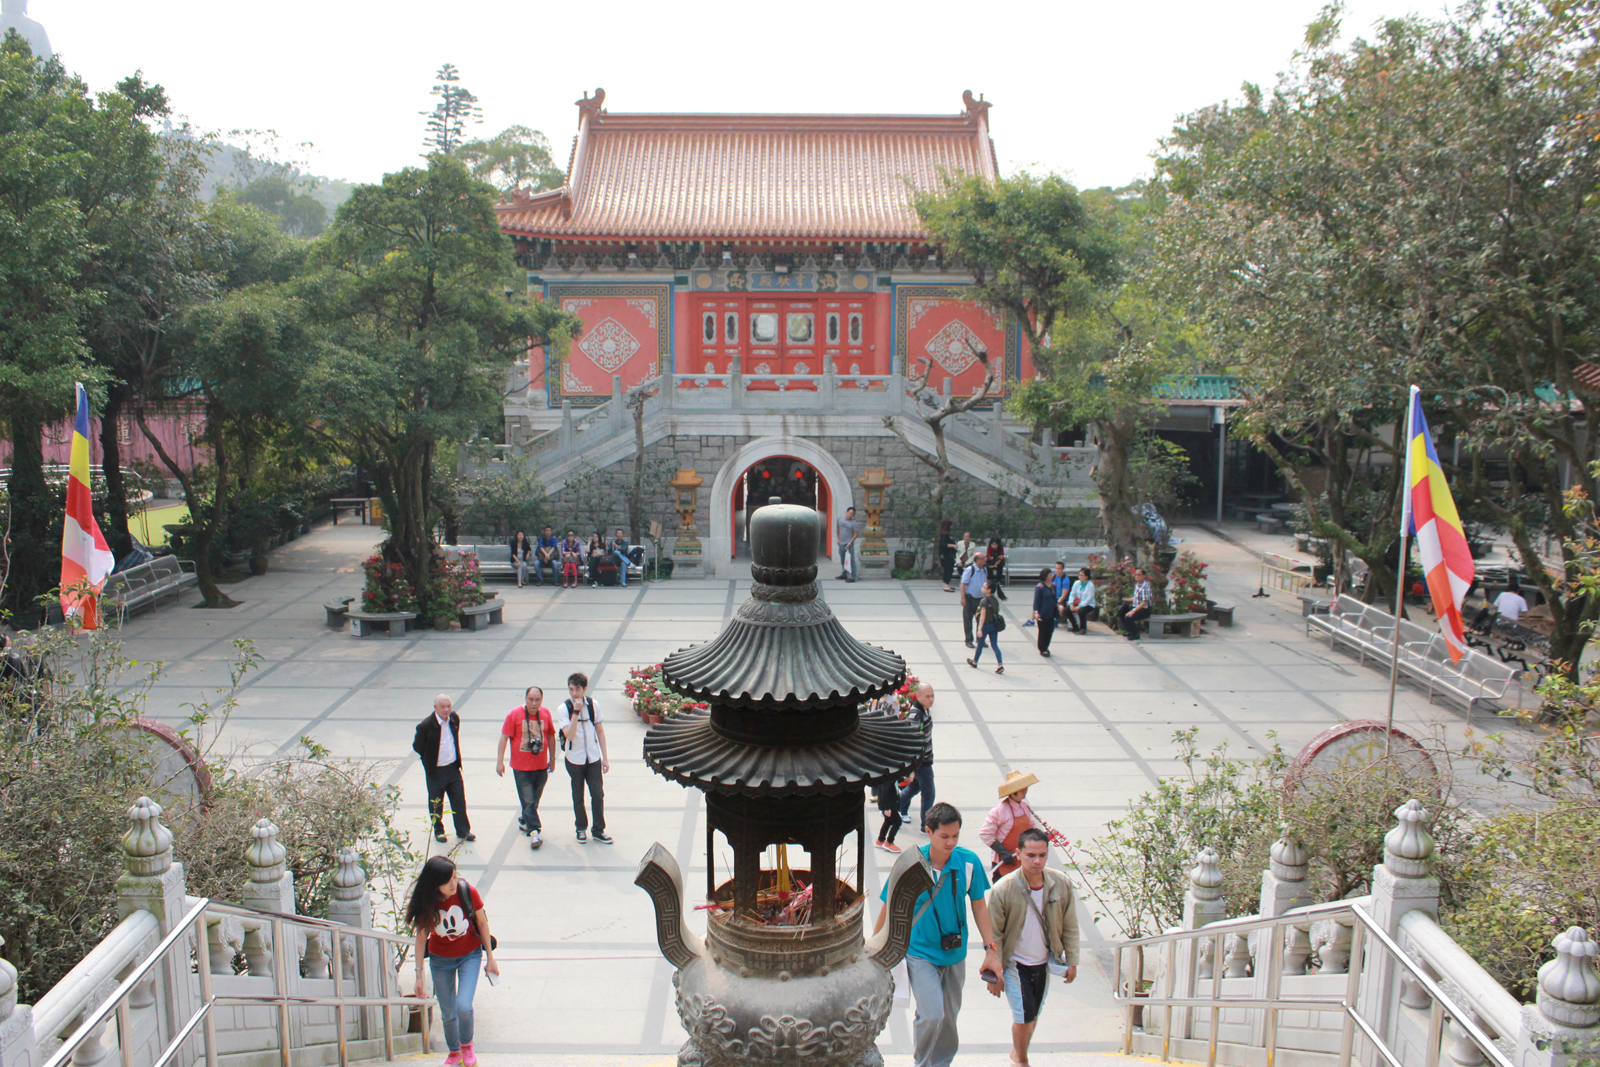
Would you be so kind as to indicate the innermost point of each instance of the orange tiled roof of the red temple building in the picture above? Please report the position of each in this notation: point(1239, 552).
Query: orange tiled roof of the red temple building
point(751, 177)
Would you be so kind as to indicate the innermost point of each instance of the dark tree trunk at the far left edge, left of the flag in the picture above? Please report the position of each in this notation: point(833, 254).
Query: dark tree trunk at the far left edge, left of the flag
point(33, 562)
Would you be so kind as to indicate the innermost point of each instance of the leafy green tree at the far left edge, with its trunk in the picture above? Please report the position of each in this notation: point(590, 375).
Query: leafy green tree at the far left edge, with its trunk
point(71, 162)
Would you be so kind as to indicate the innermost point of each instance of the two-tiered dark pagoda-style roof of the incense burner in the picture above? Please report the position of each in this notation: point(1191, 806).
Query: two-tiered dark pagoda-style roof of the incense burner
point(785, 682)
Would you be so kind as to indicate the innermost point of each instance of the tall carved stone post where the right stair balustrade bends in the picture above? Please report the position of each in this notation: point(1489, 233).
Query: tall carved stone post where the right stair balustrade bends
point(1401, 885)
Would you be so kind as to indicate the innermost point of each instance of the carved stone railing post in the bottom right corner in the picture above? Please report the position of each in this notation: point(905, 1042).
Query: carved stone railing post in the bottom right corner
point(1564, 1026)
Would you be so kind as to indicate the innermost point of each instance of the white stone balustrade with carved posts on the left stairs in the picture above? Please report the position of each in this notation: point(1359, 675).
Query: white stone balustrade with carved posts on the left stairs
point(241, 957)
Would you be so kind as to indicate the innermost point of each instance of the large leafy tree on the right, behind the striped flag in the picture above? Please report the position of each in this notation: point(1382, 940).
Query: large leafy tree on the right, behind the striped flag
point(1417, 209)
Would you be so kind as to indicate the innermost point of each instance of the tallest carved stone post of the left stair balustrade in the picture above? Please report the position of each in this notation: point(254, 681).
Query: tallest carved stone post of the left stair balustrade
point(154, 884)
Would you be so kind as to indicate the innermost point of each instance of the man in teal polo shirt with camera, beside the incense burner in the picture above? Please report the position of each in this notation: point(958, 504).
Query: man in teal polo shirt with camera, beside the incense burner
point(937, 959)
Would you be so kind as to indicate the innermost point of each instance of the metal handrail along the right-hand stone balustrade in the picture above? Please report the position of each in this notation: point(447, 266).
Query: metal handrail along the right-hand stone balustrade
point(1273, 1004)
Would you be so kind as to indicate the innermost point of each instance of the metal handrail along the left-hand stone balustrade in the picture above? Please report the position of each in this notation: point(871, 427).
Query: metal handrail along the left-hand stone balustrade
point(194, 924)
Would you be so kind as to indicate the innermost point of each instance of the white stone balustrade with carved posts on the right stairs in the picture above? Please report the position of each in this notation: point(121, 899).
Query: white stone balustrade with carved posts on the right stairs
point(1314, 962)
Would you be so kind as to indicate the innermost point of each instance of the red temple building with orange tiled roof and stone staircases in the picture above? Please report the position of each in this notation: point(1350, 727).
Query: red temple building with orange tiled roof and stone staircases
point(769, 282)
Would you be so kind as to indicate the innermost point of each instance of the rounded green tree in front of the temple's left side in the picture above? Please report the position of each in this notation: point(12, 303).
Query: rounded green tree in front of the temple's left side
point(410, 292)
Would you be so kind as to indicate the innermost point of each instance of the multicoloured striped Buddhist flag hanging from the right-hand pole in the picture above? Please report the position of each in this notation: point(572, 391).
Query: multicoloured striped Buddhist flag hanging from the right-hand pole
point(1433, 519)
